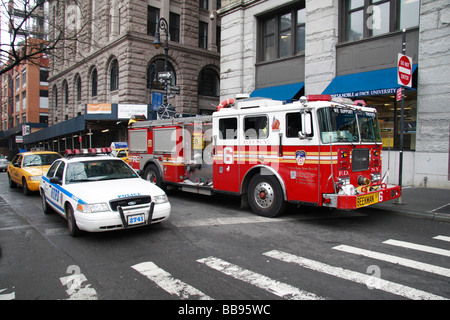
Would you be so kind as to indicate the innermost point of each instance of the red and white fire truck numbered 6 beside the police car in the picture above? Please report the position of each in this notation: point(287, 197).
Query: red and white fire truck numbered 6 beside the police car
point(315, 151)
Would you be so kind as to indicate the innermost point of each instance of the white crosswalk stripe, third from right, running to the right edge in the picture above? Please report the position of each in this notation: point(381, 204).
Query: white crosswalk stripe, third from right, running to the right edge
point(394, 259)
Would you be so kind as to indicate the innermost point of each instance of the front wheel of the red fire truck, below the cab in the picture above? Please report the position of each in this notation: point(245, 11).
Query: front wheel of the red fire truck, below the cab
point(265, 196)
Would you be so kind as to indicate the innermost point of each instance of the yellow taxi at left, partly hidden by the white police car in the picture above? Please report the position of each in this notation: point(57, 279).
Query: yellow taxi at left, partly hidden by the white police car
point(26, 169)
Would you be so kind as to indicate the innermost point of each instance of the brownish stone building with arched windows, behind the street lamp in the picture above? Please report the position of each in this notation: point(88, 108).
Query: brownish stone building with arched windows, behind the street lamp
point(108, 56)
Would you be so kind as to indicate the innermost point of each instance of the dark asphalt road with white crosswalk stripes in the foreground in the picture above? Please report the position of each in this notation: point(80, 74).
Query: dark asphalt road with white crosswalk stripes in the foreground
point(212, 249)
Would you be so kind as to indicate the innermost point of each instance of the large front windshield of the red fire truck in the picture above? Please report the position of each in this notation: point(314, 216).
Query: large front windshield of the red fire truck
point(339, 124)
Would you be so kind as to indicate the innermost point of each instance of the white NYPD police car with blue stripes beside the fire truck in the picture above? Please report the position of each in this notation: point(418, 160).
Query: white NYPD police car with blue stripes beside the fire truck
point(99, 193)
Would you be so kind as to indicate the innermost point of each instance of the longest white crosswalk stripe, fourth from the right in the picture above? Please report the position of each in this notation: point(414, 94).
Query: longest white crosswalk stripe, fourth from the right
point(377, 283)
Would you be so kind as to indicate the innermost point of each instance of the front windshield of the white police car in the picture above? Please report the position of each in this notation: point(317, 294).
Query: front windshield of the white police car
point(96, 170)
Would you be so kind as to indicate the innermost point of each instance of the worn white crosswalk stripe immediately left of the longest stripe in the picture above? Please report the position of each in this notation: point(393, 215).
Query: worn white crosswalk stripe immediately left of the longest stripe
point(278, 288)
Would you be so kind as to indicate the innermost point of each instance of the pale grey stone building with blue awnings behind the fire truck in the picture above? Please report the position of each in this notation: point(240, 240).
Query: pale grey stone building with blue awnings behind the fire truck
point(330, 46)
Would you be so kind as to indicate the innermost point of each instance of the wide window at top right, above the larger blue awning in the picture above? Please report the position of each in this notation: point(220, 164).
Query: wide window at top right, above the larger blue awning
point(363, 19)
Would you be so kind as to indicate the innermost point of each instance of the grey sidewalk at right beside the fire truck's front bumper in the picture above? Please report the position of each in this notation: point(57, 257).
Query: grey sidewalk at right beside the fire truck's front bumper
point(422, 202)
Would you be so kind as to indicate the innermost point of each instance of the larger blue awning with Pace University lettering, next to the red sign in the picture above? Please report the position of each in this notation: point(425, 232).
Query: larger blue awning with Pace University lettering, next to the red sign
point(370, 83)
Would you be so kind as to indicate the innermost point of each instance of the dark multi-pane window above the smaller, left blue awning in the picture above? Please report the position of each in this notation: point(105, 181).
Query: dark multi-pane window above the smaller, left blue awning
point(282, 33)
